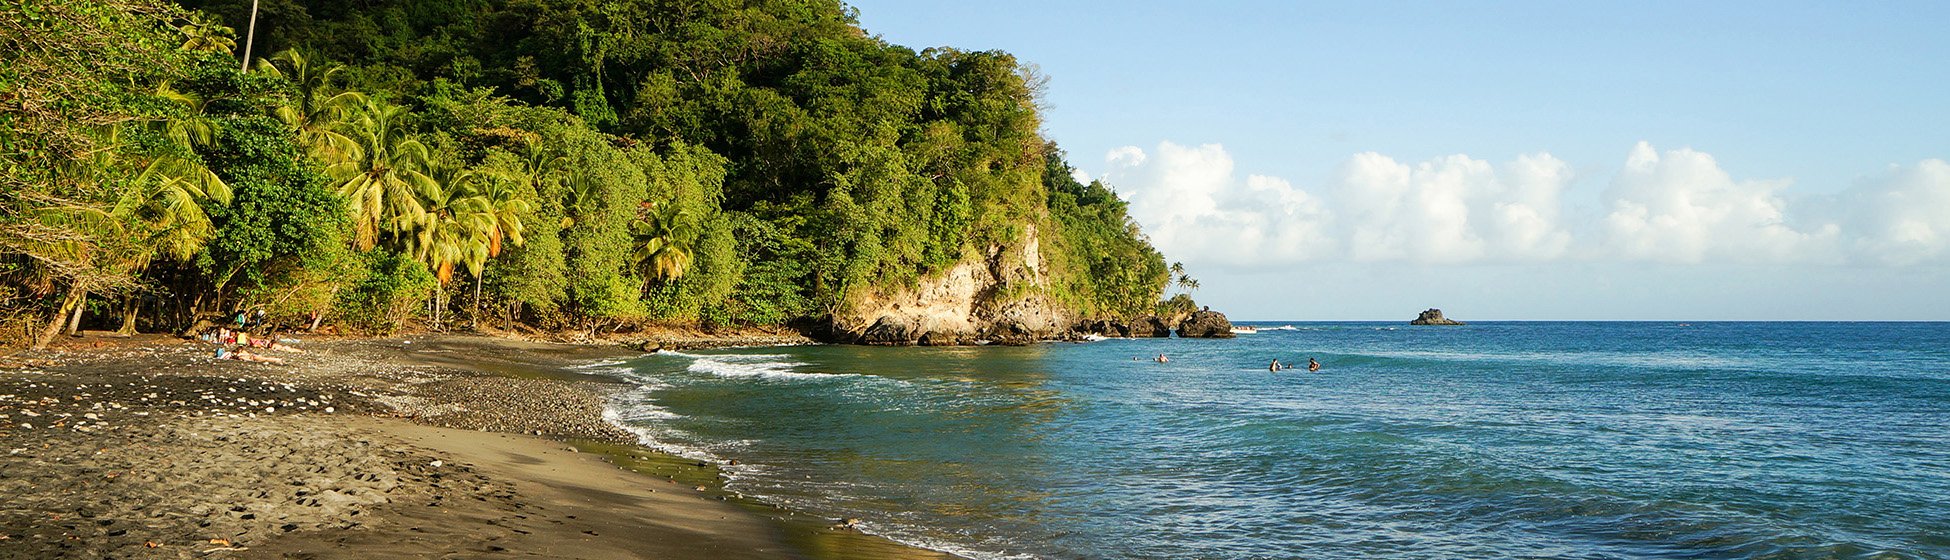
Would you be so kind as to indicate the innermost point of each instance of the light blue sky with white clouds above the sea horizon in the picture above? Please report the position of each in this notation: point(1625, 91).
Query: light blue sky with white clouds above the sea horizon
point(1504, 161)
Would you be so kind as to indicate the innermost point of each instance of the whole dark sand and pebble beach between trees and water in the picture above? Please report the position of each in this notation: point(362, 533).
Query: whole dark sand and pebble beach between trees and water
point(459, 446)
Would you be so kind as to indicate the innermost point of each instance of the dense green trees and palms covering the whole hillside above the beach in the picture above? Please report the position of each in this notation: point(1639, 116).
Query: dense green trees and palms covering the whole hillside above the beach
point(522, 165)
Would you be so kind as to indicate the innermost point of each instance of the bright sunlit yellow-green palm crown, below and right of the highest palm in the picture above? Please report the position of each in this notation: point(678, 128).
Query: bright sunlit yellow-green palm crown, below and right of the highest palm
point(383, 179)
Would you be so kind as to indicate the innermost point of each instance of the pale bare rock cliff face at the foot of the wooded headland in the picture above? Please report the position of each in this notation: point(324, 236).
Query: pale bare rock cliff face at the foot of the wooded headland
point(997, 298)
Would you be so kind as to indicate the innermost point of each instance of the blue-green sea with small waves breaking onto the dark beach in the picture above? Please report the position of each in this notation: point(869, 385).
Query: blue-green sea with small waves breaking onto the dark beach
point(1543, 440)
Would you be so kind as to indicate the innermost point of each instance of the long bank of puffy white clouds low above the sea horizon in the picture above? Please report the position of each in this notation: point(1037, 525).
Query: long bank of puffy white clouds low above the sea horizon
point(1676, 208)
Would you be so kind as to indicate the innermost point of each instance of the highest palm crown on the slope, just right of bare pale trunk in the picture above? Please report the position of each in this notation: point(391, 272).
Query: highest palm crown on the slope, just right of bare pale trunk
point(315, 114)
